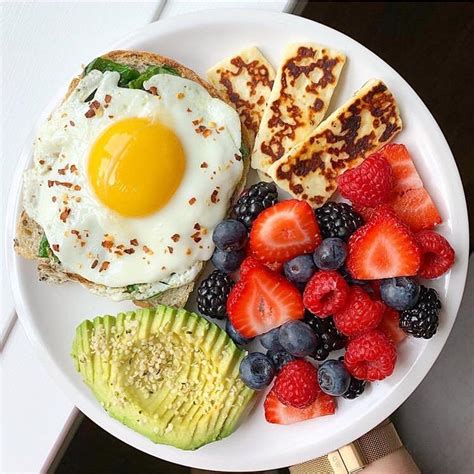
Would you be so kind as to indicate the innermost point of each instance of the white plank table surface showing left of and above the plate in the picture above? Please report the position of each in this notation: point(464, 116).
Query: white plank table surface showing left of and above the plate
point(42, 46)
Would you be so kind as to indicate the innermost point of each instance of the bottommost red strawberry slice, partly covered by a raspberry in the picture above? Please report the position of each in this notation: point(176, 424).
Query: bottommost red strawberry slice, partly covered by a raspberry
point(277, 412)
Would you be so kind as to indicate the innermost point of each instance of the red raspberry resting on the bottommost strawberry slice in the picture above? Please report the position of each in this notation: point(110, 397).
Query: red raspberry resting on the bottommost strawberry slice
point(296, 384)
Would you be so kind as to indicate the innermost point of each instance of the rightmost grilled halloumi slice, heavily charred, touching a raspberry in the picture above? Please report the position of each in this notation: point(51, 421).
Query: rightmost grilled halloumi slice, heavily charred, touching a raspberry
point(361, 126)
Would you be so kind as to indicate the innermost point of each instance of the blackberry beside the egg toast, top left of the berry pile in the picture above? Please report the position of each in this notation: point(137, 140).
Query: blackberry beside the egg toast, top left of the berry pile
point(254, 200)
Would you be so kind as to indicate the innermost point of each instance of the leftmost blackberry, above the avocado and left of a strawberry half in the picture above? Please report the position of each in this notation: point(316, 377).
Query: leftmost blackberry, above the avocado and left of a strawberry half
point(212, 294)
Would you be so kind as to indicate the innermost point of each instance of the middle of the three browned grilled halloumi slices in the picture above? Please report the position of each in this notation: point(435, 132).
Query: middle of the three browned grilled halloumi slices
point(304, 84)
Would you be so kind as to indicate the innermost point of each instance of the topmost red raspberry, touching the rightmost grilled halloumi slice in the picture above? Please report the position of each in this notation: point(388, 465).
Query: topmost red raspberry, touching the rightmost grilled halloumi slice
point(369, 184)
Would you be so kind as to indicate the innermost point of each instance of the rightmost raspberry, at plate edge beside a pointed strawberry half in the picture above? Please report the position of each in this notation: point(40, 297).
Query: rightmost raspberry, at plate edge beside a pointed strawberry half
point(437, 254)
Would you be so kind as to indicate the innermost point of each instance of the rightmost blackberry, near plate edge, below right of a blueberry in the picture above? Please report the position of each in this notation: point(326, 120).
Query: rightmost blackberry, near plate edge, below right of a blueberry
point(422, 320)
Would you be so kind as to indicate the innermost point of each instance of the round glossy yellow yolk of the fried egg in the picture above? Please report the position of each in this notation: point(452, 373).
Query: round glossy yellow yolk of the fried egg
point(135, 166)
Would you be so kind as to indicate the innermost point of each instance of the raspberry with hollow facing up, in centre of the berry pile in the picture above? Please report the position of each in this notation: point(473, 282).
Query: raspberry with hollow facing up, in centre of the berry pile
point(326, 293)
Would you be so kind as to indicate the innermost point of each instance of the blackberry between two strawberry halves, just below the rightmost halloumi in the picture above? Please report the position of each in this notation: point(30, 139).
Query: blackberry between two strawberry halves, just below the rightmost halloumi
point(338, 219)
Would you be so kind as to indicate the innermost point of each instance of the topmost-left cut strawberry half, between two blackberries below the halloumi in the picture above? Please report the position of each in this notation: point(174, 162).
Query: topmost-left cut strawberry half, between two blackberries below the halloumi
point(283, 231)
